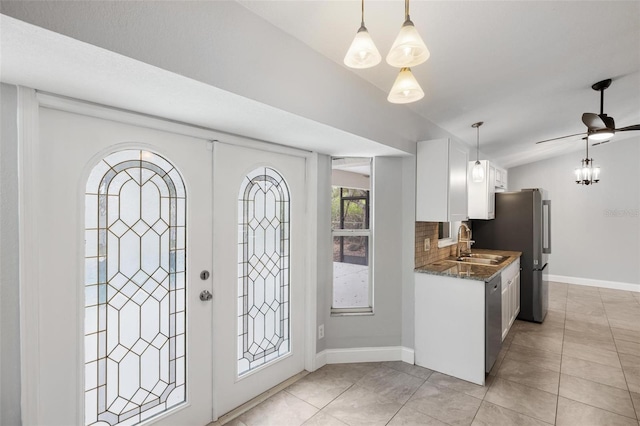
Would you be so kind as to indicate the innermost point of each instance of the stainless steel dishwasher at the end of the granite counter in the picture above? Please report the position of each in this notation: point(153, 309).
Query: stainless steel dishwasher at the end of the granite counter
point(492, 321)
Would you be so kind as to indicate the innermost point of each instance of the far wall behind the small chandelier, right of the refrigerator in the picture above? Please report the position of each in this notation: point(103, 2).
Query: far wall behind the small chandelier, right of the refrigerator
point(595, 228)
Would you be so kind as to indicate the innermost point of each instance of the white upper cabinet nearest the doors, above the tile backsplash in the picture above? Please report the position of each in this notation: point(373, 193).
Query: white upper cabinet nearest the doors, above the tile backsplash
point(441, 181)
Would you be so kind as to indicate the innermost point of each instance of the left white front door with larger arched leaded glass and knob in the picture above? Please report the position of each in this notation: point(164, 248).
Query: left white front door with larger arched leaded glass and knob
point(124, 232)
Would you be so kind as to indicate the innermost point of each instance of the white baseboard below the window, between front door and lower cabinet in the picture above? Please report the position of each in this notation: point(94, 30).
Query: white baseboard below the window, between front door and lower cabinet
point(351, 355)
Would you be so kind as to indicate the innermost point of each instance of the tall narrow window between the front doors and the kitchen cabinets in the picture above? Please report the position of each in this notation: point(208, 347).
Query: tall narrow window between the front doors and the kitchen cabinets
point(351, 231)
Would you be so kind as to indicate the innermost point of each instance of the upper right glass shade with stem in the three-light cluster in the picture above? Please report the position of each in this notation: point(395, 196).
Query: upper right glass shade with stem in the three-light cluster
point(408, 50)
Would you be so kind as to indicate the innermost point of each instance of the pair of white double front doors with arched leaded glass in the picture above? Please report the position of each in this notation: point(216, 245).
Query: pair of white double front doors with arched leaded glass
point(168, 273)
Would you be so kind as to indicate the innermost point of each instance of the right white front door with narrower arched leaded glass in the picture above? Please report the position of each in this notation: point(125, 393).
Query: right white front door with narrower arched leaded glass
point(259, 271)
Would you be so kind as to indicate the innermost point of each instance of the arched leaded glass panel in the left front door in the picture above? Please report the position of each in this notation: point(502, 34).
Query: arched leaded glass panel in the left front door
point(134, 288)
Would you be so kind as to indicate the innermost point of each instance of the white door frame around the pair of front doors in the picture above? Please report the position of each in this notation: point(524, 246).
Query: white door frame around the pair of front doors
point(29, 103)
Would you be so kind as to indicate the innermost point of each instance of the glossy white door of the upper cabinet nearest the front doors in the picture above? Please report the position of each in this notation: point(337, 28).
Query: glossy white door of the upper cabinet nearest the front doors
point(458, 163)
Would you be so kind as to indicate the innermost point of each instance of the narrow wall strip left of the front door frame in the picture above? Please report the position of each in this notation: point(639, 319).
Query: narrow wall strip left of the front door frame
point(9, 291)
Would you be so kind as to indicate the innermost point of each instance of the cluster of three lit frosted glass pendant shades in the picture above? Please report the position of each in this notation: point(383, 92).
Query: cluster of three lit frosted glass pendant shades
point(407, 50)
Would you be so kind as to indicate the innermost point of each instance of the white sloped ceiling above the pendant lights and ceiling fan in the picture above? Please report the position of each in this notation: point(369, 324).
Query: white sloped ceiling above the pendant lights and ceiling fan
point(525, 68)
